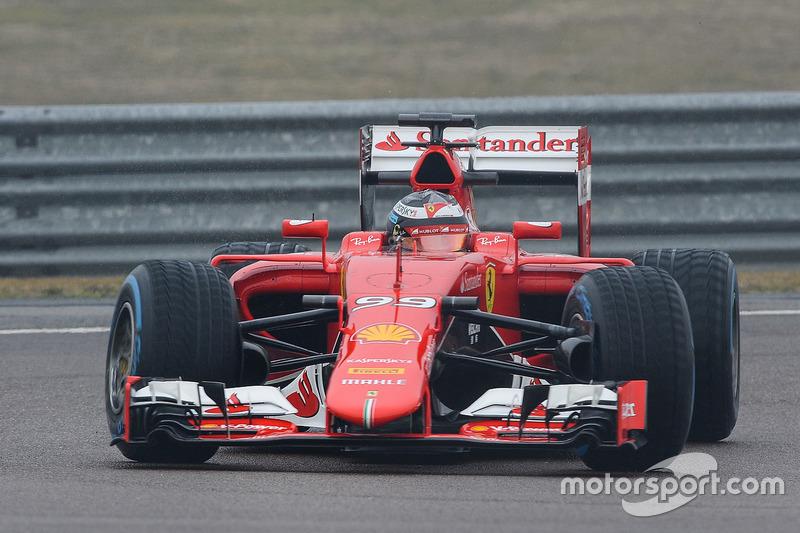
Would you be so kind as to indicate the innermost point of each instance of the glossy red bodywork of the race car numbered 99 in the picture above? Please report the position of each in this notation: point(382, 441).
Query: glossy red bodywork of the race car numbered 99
point(392, 321)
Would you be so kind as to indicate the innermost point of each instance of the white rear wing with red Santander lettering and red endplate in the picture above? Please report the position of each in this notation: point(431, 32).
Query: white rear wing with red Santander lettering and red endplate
point(501, 155)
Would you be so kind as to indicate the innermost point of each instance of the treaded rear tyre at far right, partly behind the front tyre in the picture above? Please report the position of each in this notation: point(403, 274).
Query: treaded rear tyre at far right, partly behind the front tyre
point(710, 285)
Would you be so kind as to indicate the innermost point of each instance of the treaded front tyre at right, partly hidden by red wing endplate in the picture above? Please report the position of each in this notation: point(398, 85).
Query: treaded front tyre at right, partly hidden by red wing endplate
point(642, 331)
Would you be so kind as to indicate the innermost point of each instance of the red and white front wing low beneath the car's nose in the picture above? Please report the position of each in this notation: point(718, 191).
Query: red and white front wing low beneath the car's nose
point(609, 414)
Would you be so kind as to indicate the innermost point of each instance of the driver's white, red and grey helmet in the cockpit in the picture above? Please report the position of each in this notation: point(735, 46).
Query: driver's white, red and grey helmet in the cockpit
point(428, 221)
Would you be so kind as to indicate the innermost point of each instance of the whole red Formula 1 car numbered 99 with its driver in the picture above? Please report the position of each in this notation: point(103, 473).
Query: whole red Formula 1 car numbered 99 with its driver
point(429, 334)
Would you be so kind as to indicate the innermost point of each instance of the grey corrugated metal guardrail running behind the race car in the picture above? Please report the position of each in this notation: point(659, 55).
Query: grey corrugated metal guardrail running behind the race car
point(98, 189)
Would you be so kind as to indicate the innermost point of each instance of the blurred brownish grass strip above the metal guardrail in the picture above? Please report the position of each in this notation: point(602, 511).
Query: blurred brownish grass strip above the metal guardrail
point(181, 51)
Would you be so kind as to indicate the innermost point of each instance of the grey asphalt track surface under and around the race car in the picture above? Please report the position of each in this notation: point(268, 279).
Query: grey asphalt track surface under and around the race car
point(59, 474)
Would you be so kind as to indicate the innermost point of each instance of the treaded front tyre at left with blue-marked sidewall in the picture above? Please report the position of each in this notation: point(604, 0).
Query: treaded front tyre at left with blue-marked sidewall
point(172, 319)
